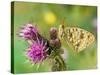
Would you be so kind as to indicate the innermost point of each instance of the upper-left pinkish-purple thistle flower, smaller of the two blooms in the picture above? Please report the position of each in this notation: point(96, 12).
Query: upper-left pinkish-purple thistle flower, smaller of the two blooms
point(29, 32)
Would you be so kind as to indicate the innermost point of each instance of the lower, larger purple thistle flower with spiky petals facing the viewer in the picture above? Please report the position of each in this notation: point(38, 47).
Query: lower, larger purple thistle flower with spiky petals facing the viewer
point(38, 51)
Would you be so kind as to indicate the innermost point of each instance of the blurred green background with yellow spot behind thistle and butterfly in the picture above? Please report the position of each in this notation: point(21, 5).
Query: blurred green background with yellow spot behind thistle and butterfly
point(51, 15)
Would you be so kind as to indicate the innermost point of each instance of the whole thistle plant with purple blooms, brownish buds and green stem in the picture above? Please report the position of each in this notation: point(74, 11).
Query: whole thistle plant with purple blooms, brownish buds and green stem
point(41, 48)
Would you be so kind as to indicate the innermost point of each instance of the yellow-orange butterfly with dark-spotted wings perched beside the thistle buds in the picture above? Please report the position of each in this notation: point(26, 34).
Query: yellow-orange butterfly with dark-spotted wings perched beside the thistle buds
point(78, 38)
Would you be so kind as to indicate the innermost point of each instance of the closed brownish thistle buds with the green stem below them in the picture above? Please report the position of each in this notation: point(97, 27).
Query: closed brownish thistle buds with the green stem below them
point(58, 63)
